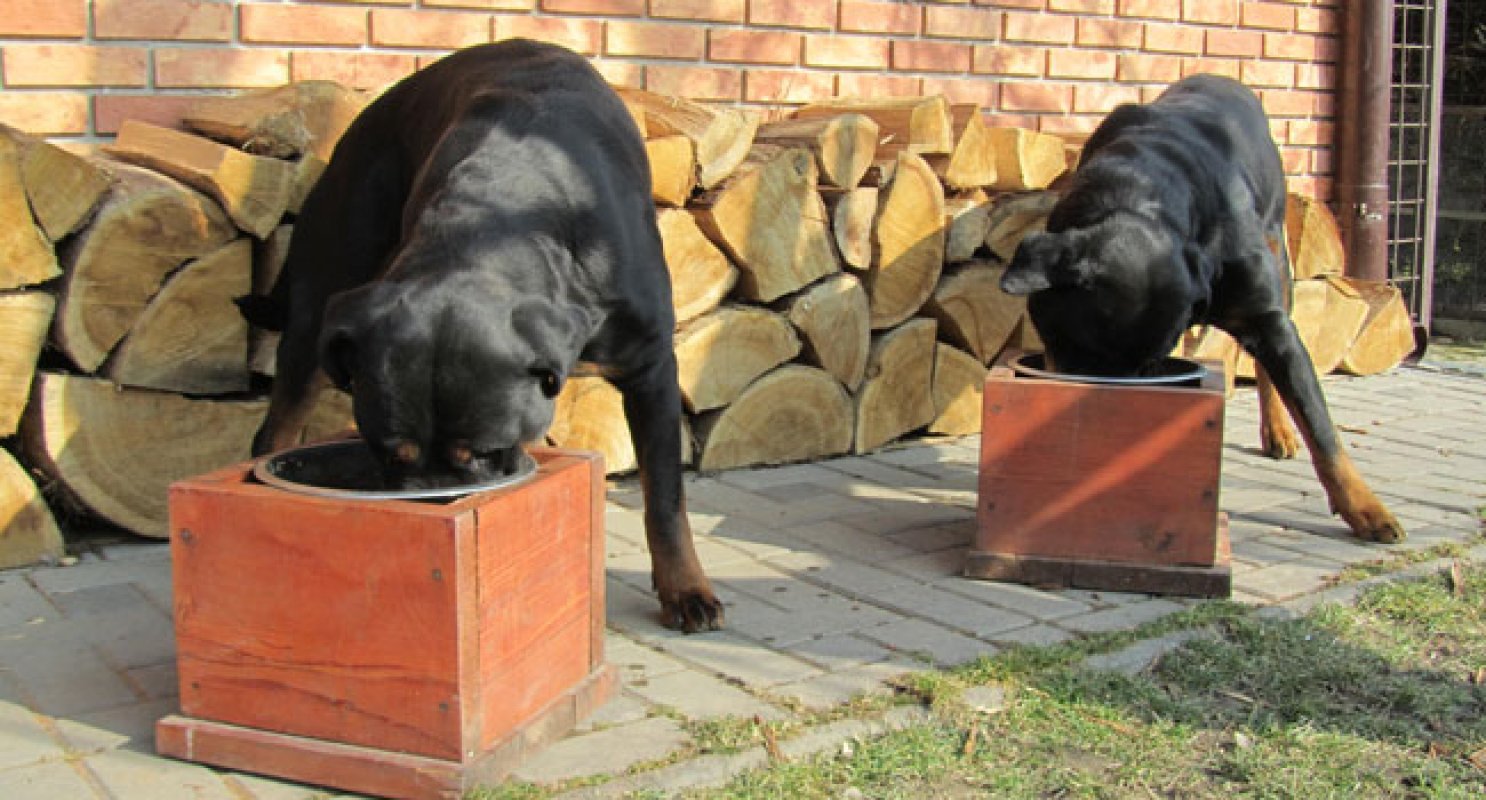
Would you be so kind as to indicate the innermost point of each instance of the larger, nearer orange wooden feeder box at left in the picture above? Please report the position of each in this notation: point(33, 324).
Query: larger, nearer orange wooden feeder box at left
point(400, 649)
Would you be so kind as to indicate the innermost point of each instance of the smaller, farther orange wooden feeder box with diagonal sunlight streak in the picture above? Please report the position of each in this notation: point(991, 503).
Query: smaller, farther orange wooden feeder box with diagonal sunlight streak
point(1102, 487)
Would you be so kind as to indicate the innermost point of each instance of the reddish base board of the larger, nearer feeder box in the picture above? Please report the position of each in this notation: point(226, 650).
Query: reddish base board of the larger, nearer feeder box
point(371, 771)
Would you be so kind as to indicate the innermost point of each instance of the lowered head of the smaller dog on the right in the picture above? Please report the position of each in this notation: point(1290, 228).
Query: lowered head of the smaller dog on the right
point(1111, 300)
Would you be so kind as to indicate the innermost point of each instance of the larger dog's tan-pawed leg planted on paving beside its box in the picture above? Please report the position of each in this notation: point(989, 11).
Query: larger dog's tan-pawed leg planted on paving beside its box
point(653, 411)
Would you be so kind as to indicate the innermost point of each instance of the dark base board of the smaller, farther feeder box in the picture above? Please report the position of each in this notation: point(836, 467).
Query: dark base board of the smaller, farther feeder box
point(1111, 576)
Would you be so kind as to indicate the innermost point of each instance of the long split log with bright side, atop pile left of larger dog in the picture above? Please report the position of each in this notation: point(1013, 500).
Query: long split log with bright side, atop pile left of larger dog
point(255, 191)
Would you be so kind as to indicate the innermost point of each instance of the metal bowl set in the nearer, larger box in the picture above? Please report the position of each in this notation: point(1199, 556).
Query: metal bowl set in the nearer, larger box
point(347, 471)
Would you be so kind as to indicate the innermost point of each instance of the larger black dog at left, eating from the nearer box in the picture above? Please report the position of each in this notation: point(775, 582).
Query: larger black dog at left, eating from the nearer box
point(482, 228)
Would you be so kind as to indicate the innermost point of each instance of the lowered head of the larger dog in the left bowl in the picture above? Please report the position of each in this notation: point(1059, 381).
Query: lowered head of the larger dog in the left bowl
point(448, 384)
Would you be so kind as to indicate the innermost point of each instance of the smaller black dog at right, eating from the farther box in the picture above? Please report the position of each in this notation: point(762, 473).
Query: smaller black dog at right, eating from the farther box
point(1176, 218)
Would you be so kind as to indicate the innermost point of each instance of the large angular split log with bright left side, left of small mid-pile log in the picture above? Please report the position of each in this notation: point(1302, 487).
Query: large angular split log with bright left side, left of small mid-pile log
point(773, 224)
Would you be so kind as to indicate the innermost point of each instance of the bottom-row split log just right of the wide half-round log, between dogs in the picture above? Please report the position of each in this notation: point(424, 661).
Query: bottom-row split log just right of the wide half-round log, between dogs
point(898, 393)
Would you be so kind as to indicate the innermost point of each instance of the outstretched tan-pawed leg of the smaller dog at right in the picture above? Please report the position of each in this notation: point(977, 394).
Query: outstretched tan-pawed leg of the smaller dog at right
point(1283, 358)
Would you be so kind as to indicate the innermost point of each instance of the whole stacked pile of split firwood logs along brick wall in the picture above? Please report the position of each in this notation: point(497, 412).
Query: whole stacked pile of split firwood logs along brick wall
point(834, 280)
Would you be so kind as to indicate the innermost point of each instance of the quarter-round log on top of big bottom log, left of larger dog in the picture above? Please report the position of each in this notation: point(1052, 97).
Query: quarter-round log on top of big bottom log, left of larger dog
point(191, 338)
